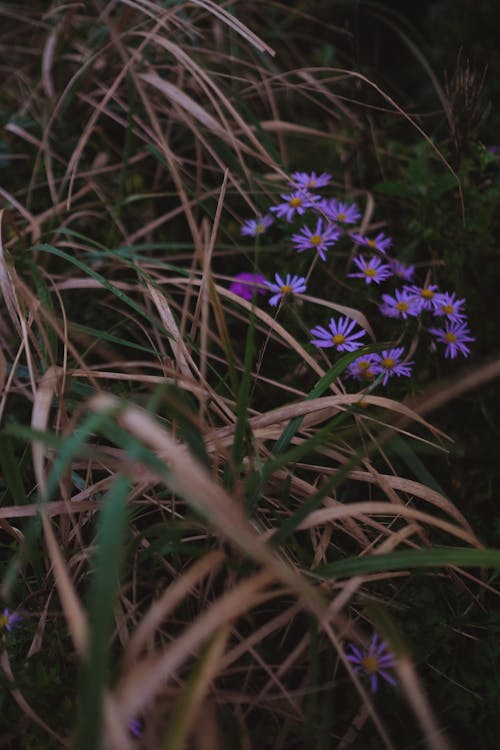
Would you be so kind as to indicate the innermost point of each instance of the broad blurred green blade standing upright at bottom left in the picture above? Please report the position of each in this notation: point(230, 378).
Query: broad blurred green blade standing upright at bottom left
point(102, 596)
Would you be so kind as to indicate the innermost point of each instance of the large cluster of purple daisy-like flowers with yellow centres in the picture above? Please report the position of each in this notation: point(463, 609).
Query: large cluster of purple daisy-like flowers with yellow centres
point(332, 220)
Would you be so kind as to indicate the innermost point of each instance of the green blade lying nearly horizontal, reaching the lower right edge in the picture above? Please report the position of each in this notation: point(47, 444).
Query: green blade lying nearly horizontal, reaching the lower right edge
point(425, 558)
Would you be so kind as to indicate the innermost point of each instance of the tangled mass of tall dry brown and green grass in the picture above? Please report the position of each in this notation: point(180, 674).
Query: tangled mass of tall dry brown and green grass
point(196, 516)
